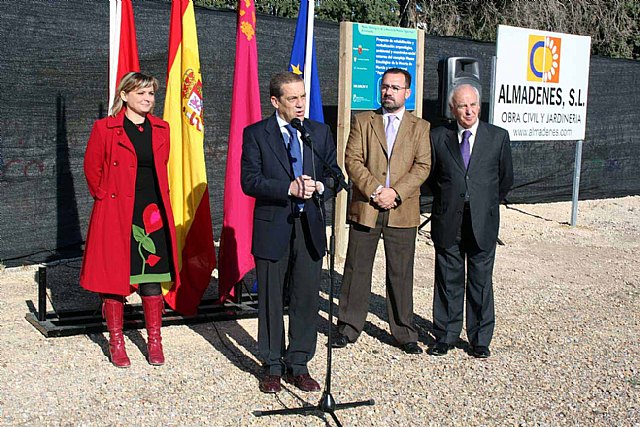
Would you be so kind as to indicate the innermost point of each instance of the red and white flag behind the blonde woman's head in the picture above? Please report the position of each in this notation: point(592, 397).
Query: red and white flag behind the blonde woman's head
point(123, 47)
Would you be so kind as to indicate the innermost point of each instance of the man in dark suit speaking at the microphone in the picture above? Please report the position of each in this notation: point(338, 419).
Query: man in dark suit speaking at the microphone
point(289, 237)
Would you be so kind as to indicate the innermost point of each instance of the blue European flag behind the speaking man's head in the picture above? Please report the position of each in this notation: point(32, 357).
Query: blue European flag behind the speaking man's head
point(296, 63)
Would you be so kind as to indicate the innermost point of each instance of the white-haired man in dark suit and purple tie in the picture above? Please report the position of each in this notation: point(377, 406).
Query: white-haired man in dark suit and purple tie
point(471, 173)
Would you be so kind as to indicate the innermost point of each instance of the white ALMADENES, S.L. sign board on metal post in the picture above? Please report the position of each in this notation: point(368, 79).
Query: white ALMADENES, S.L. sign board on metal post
point(541, 82)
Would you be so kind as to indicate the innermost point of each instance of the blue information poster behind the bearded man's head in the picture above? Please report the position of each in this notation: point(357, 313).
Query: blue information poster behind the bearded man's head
point(375, 49)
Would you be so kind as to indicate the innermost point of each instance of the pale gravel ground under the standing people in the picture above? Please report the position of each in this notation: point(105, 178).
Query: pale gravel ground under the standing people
point(565, 351)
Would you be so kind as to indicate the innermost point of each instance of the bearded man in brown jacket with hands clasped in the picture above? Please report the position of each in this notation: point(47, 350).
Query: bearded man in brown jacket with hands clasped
point(388, 157)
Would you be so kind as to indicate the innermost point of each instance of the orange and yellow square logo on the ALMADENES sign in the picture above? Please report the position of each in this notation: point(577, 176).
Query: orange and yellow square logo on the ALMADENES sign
point(544, 59)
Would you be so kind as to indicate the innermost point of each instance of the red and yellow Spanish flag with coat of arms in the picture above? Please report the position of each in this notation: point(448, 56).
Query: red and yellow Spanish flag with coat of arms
point(187, 172)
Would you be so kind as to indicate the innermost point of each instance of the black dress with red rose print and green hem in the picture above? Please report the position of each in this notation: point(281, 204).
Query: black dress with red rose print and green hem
point(150, 261)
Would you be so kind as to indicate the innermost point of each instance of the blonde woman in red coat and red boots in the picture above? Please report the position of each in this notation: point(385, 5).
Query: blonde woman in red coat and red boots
point(131, 241)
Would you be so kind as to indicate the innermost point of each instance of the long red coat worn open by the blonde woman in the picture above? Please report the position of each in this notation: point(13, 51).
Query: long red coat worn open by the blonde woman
point(110, 166)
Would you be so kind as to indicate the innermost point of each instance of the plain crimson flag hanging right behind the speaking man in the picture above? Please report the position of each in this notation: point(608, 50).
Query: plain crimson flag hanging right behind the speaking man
point(237, 224)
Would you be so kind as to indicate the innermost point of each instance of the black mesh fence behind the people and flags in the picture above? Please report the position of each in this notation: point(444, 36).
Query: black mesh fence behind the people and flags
point(53, 79)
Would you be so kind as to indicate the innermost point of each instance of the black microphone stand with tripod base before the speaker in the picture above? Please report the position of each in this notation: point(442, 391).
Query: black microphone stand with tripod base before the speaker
point(327, 403)
